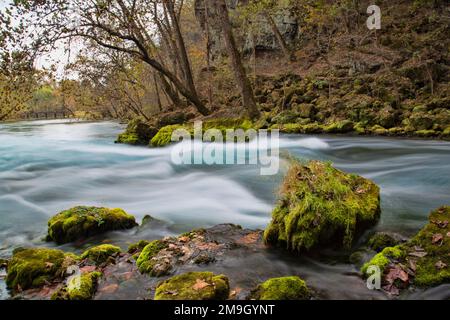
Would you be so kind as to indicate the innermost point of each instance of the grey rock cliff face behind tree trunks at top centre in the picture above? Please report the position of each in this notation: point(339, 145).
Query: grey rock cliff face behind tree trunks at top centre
point(256, 33)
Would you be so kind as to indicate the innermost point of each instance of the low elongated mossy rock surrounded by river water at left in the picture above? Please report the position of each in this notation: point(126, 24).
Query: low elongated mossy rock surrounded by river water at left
point(81, 222)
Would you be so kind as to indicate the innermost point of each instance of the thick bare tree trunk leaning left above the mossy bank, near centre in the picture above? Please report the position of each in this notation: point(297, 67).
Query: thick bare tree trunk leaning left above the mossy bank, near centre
point(238, 68)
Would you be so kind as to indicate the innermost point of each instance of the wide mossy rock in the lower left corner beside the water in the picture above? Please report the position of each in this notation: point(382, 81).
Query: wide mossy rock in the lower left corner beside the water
point(34, 267)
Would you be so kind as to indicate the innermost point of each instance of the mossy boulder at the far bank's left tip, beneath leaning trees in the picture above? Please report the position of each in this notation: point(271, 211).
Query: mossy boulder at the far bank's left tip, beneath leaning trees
point(138, 132)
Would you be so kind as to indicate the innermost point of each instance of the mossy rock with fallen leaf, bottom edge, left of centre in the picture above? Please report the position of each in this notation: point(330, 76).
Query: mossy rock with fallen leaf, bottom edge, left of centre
point(194, 286)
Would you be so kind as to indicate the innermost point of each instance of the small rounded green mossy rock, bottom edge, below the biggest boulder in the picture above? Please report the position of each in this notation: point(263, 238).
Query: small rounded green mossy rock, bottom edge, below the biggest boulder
point(285, 288)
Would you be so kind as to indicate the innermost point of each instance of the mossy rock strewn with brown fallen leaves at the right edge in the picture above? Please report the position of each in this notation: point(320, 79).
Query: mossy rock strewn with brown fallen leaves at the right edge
point(423, 261)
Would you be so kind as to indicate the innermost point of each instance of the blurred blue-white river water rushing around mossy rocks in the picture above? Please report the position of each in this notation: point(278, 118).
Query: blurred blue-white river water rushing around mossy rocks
point(49, 166)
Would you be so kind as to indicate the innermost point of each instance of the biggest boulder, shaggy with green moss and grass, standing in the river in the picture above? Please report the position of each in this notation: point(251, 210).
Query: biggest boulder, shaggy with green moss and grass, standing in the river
point(320, 206)
